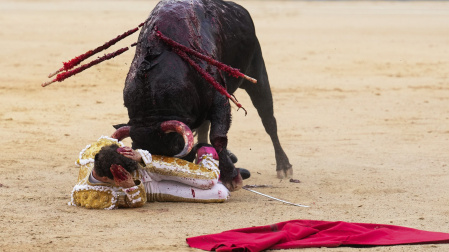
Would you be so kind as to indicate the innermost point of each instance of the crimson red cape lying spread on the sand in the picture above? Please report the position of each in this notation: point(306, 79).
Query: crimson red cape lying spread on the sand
point(312, 233)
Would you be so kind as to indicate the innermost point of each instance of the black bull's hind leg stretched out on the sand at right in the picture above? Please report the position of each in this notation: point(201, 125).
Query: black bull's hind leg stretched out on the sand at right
point(262, 100)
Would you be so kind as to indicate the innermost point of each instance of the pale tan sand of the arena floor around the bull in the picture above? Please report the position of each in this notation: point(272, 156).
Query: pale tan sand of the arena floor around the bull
point(361, 92)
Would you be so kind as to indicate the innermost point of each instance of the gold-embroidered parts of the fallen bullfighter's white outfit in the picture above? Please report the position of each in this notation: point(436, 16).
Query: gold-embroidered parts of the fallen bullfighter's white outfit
point(106, 196)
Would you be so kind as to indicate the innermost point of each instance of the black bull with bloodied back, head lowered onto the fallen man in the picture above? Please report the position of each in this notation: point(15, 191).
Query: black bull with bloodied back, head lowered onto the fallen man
point(161, 86)
